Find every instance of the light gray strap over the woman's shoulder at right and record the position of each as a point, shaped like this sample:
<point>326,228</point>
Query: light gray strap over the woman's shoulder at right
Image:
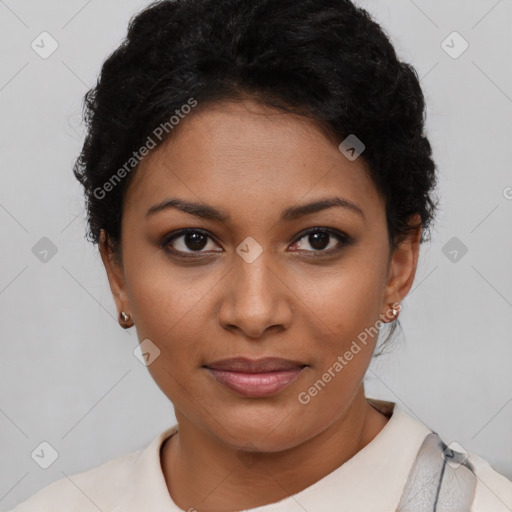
<point>440,480</point>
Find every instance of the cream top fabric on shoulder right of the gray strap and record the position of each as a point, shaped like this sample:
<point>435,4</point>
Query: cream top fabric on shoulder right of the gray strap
<point>493,491</point>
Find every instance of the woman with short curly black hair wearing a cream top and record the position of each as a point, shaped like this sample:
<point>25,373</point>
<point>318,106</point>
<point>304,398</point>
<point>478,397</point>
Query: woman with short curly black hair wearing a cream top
<point>258,183</point>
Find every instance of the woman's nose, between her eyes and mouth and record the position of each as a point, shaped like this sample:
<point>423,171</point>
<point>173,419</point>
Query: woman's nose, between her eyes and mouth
<point>255,300</point>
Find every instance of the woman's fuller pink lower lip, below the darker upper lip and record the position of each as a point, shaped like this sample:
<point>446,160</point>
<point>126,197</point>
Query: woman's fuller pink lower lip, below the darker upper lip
<point>256,384</point>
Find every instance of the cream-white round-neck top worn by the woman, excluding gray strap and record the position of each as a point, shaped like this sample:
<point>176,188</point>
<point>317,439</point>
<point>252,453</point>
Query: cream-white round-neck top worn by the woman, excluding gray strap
<point>372,480</point>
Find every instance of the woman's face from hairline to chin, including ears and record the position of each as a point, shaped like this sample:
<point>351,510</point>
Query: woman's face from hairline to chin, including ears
<point>251,281</point>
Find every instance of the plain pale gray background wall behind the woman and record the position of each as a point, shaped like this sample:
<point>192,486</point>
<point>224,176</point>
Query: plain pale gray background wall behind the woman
<point>68,375</point>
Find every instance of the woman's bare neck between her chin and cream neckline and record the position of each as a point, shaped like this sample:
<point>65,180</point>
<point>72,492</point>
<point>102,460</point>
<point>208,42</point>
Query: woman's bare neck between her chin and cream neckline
<point>203,472</point>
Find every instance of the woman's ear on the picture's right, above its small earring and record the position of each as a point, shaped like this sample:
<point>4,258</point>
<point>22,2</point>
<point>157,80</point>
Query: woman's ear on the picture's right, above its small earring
<point>402,267</point>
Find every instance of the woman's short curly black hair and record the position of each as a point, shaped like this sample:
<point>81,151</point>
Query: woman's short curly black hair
<point>324,59</point>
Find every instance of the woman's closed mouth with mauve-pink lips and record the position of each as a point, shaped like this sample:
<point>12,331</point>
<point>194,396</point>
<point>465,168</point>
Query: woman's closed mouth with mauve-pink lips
<point>256,378</point>
